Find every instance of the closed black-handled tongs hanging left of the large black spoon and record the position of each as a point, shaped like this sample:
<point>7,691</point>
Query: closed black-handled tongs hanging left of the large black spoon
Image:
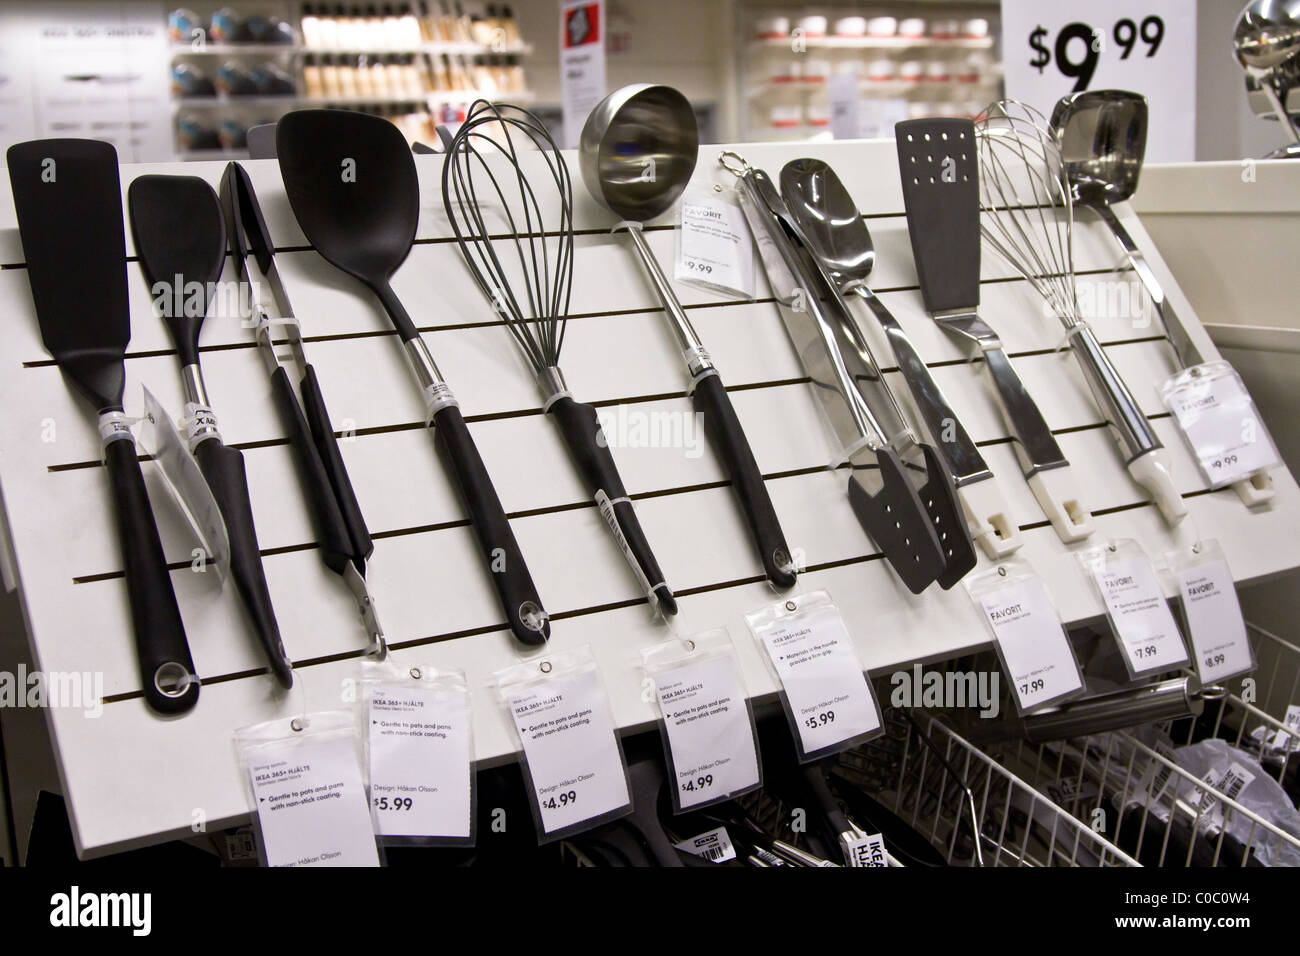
<point>345,542</point>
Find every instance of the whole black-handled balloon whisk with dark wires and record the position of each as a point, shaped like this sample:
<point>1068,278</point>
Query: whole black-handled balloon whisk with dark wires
<point>486,168</point>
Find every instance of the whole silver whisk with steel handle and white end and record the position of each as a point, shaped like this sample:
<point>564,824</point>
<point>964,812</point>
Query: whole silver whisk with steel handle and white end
<point>1029,222</point>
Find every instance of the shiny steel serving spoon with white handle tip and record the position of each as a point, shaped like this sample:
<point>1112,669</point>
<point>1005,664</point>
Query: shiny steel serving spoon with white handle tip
<point>842,241</point>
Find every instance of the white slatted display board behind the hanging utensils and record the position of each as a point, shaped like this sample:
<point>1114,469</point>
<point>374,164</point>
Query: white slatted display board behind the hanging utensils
<point>133,778</point>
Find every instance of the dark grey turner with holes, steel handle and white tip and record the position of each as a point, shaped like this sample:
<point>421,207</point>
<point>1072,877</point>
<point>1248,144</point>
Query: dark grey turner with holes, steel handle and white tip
<point>942,198</point>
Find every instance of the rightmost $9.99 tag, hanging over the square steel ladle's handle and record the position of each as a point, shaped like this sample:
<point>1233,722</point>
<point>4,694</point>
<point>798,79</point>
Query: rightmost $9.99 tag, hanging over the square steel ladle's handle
<point>1217,418</point>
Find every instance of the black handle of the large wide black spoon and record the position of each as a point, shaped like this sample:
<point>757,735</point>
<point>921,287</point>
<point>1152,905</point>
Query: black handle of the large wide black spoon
<point>496,540</point>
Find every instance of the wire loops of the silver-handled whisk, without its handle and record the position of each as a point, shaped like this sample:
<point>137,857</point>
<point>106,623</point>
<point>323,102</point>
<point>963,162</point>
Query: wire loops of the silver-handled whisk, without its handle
<point>1029,210</point>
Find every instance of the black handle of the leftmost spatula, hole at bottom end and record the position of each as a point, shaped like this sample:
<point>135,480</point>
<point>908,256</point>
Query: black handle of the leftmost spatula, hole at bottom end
<point>161,644</point>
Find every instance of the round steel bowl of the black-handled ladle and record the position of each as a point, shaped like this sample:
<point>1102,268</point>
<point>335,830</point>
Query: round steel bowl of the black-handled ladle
<point>639,150</point>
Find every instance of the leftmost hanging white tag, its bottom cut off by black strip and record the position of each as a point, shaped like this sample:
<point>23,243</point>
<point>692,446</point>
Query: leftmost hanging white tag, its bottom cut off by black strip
<point>311,804</point>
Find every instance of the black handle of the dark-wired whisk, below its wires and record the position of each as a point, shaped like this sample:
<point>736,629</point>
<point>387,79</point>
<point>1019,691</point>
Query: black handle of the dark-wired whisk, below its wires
<point>582,431</point>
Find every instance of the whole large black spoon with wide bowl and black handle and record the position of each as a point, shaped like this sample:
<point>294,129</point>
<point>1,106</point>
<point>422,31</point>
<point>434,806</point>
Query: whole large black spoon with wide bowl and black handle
<point>353,185</point>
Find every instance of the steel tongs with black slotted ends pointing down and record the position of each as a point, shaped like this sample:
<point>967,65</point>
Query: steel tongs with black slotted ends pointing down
<point>898,488</point>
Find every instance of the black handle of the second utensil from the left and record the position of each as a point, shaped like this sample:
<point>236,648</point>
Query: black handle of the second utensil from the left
<point>224,470</point>
